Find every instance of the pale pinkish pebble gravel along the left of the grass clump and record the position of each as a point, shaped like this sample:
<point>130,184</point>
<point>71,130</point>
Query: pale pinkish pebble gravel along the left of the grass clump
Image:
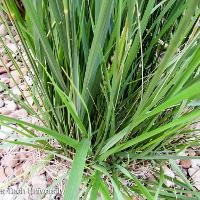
<point>24,173</point>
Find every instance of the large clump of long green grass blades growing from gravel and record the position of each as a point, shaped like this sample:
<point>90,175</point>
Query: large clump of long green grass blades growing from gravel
<point>114,81</point>
